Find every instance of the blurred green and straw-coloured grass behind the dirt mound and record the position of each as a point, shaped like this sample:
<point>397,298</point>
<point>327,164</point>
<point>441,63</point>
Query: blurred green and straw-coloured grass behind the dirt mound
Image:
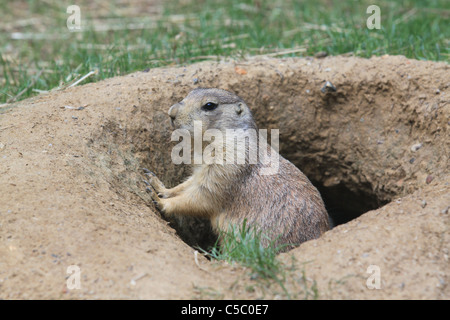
<point>39,53</point>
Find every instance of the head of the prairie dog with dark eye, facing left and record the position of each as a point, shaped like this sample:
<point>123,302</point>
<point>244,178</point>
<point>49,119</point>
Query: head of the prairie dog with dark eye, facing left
<point>215,108</point>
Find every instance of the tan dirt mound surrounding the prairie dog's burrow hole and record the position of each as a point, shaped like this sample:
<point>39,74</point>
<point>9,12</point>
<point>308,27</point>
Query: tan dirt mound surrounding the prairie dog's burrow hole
<point>71,190</point>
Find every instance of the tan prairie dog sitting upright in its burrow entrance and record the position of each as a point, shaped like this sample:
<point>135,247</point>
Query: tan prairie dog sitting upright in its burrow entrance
<point>284,206</point>
